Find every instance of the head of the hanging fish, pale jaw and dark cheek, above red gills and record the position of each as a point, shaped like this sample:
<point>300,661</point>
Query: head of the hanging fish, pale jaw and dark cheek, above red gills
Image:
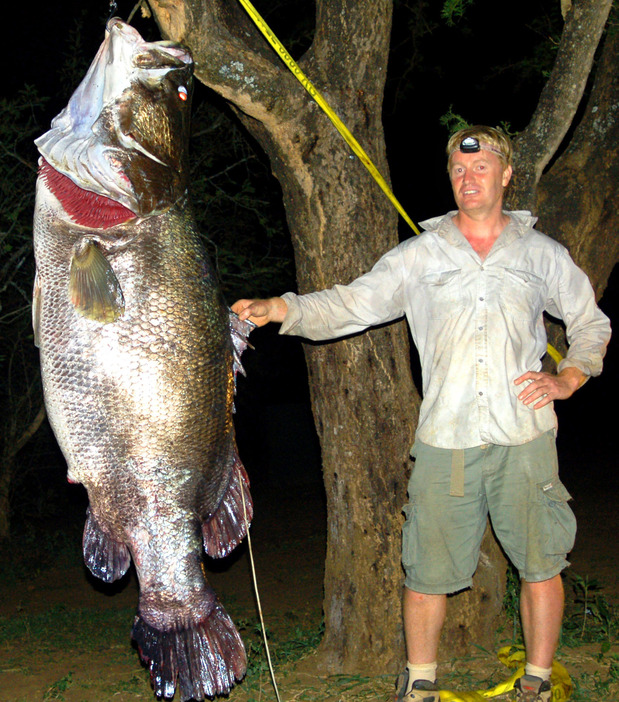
<point>124,133</point>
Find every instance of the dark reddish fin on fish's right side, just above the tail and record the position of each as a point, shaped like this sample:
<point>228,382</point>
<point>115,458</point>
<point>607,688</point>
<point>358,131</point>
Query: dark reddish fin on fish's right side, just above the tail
<point>227,527</point>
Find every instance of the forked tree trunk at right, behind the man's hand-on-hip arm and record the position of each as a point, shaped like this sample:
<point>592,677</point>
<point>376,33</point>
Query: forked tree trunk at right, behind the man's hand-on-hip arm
<point>576,198</point>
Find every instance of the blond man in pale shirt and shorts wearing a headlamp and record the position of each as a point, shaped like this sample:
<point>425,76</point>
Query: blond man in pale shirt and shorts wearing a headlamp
<point>474,286</point>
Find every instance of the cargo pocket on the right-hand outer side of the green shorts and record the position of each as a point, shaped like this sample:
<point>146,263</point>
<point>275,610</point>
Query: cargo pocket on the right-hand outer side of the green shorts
<point>558,520</point>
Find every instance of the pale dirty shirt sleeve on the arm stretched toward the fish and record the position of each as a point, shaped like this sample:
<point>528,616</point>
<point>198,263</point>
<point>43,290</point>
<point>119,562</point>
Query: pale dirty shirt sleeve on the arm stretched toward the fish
<point>375,298</point>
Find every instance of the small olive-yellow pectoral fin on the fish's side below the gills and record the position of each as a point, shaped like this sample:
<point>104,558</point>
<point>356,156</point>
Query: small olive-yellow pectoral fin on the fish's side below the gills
<point>93,287</point>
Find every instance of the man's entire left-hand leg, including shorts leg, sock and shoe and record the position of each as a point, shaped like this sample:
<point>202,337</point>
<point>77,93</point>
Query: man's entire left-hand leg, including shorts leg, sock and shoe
<point>440,550</point>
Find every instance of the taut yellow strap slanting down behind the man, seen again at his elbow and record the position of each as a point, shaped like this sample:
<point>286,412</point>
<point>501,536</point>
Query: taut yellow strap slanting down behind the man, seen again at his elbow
<point>337,122</point>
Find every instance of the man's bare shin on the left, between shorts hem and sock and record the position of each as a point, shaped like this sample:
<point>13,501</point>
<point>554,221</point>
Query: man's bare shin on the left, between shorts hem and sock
<point>423,620</point>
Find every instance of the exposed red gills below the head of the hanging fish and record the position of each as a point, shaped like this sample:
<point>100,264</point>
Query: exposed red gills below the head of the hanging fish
<point>84,207</point>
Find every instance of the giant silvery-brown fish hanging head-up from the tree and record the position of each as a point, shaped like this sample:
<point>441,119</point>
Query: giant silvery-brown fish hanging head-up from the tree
<point>138,355</point>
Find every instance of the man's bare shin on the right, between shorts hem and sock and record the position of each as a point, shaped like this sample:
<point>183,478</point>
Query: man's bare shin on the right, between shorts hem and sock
<point>541,610</point>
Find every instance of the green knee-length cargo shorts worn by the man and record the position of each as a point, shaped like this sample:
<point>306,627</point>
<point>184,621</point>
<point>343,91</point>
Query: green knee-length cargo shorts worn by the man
<point>451,494</point>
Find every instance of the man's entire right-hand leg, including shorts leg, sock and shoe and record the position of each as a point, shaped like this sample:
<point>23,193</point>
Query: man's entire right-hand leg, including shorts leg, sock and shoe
<point>536,527</point>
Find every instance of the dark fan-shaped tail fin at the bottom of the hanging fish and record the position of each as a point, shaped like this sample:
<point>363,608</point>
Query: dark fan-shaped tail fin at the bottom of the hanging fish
<point>205,658</point>
